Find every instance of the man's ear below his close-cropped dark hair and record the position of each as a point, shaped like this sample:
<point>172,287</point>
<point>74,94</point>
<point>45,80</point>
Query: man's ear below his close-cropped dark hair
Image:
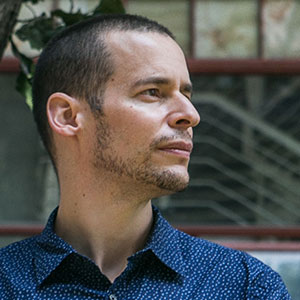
<point>62,112</point>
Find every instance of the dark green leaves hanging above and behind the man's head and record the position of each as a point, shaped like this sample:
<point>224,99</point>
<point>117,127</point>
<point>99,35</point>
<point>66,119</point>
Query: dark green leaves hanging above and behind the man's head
<point>40,29</point>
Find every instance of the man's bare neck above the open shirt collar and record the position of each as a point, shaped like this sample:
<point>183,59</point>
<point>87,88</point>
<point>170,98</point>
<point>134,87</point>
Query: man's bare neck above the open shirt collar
<point>107,228</point>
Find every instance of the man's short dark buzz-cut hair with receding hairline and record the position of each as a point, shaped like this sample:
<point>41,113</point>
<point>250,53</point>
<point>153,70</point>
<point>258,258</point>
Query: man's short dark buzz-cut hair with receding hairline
<point>78,62</point>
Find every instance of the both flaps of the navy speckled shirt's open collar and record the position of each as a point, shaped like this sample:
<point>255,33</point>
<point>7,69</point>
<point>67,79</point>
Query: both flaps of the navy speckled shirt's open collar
<point>163,241</point>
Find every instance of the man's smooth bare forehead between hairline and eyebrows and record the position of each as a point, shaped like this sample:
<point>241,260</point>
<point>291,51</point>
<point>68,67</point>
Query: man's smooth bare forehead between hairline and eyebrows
<point>143,54</point>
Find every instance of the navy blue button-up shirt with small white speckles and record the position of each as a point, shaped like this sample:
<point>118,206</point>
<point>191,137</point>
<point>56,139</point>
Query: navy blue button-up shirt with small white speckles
<point>172,265</point>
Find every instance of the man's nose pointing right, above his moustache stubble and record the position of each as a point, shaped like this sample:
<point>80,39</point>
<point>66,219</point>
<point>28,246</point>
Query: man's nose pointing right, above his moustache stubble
<point>183,113</point>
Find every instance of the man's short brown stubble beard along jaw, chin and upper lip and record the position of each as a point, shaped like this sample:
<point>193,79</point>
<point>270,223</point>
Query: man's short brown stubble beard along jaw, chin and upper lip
<point>142,171</point>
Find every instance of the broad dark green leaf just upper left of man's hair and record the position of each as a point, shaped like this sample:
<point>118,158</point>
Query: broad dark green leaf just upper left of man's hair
<point>37,32</point>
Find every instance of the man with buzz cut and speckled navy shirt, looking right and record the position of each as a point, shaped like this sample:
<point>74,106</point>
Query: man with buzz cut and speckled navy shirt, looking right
<point>112,101</point>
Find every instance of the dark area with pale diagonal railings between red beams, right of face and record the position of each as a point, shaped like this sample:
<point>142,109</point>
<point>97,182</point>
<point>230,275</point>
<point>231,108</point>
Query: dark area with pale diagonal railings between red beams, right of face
<point>246,165</point>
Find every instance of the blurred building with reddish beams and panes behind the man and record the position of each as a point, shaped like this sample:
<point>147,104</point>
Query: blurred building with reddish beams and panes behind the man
<point>244,59</point>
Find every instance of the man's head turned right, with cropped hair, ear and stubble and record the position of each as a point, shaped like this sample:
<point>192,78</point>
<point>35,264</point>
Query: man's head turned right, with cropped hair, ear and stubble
<point>138,125</point>
